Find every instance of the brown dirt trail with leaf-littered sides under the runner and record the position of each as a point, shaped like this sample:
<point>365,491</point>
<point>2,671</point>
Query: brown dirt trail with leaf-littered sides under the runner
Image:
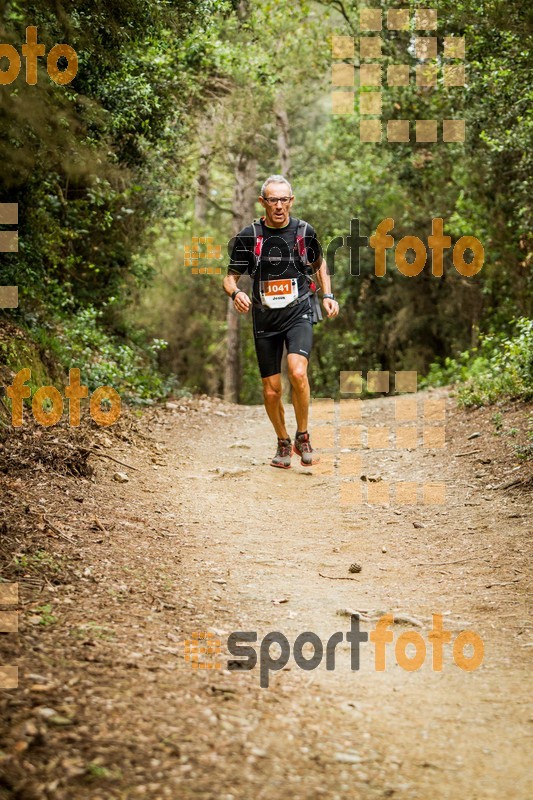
<point>204,535</point>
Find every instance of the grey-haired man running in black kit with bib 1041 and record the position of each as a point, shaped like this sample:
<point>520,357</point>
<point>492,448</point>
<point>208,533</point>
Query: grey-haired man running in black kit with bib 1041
<point>279,253</point>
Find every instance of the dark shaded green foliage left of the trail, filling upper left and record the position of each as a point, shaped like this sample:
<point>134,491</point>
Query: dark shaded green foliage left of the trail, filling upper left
<point>90,164</point>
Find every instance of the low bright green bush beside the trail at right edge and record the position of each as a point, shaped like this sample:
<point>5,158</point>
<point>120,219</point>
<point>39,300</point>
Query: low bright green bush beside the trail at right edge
<point>500,368</point>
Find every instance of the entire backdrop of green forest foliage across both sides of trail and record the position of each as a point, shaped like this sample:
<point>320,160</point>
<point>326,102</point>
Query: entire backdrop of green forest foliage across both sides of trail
<point>105,173</point>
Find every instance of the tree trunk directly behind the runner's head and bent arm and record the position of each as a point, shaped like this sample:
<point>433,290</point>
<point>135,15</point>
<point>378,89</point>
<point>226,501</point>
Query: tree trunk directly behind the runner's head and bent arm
<point>243,203</point>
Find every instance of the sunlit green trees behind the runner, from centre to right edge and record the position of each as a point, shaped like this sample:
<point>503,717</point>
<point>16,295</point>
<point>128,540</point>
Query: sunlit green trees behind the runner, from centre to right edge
<point>262,60</point>
